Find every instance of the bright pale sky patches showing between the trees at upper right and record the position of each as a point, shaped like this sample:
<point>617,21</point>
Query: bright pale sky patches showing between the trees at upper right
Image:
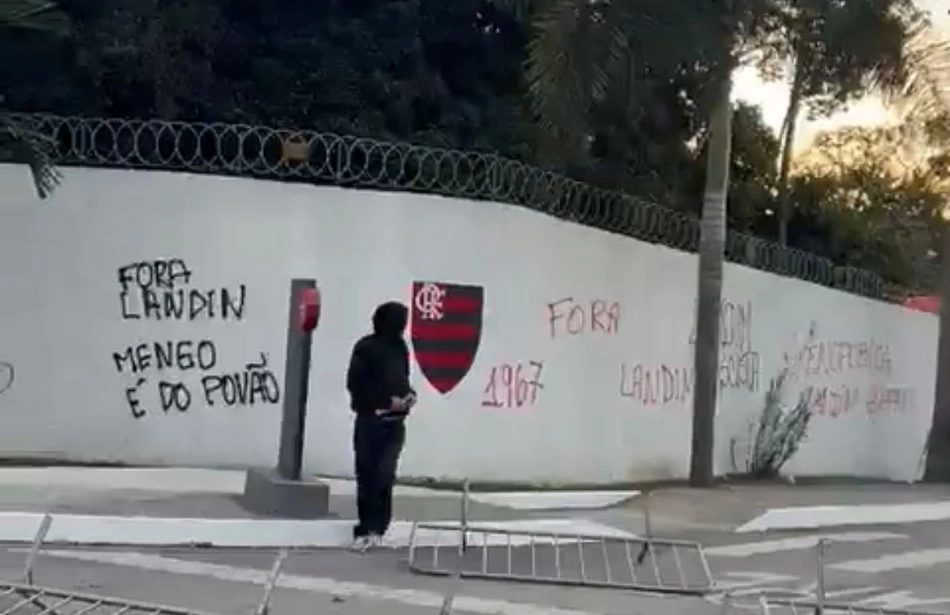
<point>772,98</point>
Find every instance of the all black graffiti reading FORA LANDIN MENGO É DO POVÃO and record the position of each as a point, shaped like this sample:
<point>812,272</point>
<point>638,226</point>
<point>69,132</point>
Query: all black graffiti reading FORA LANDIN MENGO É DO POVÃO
<point>182,372</point>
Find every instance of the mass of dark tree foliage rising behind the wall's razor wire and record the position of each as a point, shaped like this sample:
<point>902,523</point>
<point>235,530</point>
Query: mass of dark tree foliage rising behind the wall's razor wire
<point>614,93</point>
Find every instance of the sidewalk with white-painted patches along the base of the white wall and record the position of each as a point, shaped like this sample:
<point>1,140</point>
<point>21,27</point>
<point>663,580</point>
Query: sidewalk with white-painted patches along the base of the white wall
<point>174,506</point>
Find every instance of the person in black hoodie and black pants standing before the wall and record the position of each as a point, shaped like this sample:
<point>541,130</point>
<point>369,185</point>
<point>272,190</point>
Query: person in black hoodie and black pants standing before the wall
<point>381,397</point>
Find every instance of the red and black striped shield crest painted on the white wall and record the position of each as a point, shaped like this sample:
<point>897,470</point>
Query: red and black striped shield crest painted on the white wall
<point>446,330</point>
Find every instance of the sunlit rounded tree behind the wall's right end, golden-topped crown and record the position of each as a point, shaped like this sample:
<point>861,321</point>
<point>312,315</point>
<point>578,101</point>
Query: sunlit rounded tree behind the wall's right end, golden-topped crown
<point>875,197</point>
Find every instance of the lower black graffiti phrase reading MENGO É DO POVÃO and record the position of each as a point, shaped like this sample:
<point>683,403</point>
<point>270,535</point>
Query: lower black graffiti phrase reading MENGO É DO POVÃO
<point>256,384</point>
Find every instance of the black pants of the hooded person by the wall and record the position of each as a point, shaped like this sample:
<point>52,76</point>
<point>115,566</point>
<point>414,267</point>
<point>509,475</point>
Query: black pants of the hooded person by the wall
<point>377,444</point>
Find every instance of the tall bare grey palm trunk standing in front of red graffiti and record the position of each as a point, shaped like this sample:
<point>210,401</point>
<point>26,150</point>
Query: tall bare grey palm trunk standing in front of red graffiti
<point>709,292</point>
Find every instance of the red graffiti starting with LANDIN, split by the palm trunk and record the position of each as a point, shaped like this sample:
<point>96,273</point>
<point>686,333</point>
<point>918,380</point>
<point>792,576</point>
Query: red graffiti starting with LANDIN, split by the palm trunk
<point>669,384</point>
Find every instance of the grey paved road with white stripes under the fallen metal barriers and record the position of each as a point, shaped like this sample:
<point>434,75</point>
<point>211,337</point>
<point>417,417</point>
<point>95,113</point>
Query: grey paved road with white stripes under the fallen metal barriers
<point>892,566</point>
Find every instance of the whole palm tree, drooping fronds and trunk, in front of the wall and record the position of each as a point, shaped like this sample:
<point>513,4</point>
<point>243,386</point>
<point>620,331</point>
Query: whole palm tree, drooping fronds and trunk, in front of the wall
<point>585,53</point>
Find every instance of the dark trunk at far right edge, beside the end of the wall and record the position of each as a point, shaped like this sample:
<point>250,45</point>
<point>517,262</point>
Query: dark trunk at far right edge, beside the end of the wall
<point>937,468</point>
